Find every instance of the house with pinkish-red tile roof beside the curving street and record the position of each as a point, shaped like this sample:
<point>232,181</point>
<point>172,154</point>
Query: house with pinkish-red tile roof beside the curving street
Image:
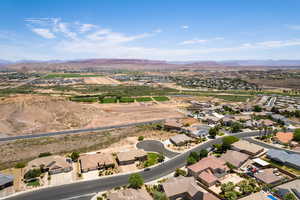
<point>208,170</point>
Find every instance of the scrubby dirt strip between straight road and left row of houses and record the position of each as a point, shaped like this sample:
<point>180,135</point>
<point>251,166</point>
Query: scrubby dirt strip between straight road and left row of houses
<point>113,141</point>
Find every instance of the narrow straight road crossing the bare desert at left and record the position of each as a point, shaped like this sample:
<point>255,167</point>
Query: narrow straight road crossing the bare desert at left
<point>38,135</point>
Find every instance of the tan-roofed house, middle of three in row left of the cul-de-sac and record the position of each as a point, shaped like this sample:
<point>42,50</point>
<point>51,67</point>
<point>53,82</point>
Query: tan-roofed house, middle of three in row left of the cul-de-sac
<point>90,162</point>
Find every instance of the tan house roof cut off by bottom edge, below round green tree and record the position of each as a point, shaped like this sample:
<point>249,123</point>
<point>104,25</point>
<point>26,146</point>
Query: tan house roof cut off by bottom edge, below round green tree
<point>129,194</point>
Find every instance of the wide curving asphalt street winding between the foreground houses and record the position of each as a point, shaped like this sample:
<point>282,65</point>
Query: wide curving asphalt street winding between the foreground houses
<point>78,189</point>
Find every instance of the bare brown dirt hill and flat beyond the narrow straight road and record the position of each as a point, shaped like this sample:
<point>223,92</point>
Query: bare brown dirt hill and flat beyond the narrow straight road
<point>37,114</point>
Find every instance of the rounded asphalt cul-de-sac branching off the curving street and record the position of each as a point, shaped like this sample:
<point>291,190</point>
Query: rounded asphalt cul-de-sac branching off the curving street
<point>156,146</point>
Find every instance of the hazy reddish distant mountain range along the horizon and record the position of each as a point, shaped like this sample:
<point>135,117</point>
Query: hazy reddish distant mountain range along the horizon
<point>136,64</point>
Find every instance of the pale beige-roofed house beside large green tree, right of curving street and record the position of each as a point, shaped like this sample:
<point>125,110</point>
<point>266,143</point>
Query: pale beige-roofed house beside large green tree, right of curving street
<point>247,147</point>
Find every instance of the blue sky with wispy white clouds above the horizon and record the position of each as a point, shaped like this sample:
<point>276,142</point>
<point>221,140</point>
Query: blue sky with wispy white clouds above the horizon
<point>174,30</point>
